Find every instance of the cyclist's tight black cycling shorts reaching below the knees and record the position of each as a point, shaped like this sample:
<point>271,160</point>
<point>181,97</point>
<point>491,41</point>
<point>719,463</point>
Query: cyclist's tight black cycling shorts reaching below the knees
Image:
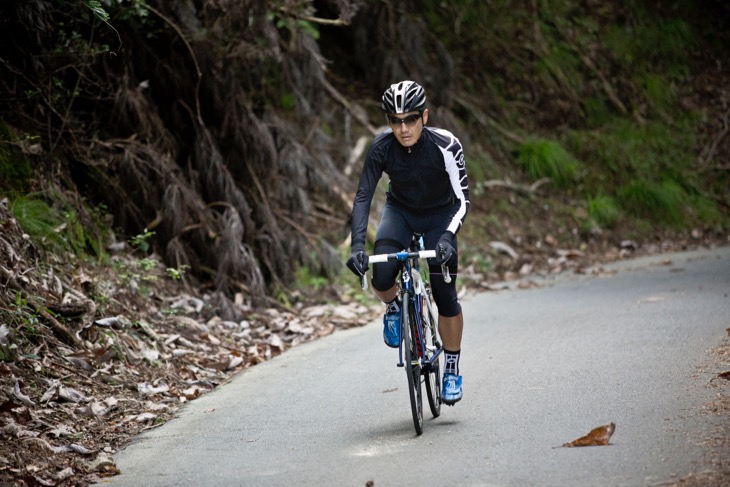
<point>396,228</point>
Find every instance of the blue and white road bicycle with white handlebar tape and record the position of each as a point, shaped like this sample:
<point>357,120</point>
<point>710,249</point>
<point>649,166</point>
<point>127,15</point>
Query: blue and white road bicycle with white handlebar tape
<point>420,349</point>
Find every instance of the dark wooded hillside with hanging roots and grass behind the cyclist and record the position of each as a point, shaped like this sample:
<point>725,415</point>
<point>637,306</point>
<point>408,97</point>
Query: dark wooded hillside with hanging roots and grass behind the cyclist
<point>226,135</point>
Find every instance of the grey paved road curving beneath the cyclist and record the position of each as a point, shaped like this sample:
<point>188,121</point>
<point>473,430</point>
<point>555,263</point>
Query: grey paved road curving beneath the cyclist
<point>541,368</point>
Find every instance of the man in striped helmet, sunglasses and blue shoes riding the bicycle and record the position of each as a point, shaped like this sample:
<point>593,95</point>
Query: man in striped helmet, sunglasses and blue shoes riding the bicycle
<point>428,193</point>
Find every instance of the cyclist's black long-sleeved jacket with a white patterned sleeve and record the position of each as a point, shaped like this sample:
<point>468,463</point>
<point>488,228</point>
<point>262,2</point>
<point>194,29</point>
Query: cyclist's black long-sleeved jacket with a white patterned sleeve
<point>428,176</point>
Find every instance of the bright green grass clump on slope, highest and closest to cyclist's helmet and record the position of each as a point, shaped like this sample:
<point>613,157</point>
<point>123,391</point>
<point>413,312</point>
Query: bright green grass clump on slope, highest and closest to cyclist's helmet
<point>542,158</point>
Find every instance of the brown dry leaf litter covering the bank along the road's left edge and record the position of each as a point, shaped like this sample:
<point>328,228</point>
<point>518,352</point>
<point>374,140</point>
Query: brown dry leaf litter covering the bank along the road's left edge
<point>78,388</point>
